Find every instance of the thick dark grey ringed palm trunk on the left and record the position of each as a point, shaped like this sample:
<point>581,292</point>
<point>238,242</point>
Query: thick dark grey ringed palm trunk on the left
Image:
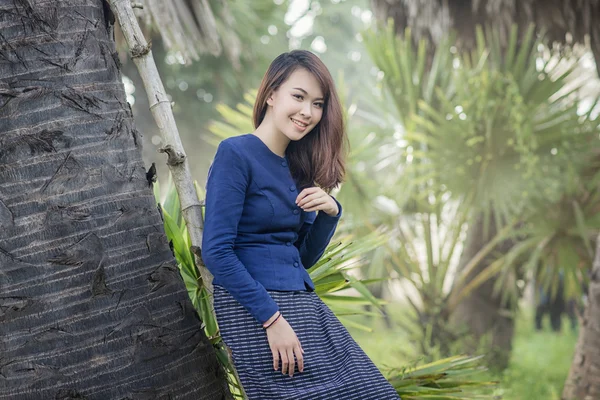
<point>91,301</point>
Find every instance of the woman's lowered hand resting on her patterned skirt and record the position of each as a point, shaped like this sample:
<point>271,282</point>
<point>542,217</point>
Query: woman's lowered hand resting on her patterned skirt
<point>284,345</point>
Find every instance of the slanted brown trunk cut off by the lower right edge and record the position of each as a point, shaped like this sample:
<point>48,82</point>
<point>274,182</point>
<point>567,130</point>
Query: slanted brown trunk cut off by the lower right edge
<point>583,382</point>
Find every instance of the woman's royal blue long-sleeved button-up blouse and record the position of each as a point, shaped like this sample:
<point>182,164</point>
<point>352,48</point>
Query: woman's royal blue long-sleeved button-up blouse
<point>255,236</point>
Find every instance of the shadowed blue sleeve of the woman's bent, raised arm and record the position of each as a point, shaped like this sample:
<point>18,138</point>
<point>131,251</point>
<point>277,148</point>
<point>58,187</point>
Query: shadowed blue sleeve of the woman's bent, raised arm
<point>315,234</point>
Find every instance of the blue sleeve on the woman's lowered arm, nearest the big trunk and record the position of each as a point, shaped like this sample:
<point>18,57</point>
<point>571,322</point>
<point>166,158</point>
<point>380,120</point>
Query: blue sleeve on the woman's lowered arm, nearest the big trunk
<point>228,179</point>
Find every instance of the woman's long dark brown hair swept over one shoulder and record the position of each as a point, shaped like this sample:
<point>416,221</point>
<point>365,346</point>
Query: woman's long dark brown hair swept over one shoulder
<point>319,157</point>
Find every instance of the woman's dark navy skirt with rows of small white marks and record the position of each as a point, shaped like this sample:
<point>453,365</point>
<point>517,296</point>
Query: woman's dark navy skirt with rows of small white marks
<point>335,367</point>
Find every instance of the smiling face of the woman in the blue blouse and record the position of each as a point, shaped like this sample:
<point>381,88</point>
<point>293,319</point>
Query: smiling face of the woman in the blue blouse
<point>297,105</point>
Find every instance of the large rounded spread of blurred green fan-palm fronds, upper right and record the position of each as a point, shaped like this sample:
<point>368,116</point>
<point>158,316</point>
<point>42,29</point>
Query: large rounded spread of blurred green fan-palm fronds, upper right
<point>493,122</point>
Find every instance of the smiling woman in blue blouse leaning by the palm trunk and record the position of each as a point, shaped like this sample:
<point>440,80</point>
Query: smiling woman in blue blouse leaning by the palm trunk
<point>268,219</point>
